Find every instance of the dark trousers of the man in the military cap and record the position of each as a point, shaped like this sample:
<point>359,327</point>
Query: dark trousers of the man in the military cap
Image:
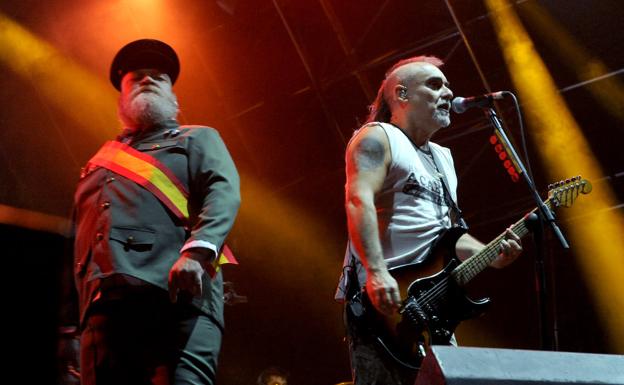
<point>143,339</point>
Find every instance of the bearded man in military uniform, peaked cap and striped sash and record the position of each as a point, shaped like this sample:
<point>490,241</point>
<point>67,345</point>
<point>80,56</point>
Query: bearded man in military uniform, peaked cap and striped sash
<point>152,211</point>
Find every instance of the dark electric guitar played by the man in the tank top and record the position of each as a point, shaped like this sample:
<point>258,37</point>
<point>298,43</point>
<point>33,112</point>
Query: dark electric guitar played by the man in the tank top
<point>434,302</point>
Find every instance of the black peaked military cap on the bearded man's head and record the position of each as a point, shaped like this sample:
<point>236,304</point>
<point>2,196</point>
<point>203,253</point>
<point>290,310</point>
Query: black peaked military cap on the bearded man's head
<point>144,53</point>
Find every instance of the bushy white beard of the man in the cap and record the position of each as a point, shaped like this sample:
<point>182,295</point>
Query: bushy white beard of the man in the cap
<point>147,109</point>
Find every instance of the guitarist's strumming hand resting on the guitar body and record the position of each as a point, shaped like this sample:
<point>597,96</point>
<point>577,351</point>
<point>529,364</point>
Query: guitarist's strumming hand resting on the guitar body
<point>383,291</point>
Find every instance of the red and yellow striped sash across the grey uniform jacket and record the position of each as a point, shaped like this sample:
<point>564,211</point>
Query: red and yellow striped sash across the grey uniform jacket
<point>155,177</point>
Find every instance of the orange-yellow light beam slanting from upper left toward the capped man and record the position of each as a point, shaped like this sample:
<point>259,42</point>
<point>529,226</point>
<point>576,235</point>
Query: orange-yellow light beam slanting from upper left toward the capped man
<point>85,98</point>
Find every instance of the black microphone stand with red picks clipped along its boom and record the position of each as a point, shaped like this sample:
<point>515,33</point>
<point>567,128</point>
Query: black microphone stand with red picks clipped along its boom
<point>545,216</point>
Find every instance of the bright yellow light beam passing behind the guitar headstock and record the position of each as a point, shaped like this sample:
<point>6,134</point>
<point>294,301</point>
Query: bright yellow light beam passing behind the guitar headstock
<point>598,241</point>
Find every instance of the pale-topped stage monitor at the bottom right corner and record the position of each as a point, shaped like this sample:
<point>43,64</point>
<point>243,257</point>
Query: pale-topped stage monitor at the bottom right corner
<point>448,365</point>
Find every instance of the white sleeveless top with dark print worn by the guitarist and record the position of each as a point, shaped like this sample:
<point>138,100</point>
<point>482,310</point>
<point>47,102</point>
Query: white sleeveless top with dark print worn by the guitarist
<point>411,207</point>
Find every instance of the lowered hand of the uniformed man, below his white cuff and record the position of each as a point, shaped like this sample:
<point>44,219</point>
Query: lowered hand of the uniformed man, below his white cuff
<point>186,274</point>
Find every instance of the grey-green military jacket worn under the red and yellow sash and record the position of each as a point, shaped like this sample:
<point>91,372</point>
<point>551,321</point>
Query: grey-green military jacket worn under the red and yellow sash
<point>122,229</point>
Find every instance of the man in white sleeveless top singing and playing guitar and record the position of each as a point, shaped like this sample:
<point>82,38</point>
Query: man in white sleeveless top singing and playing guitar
<point>400,196</point>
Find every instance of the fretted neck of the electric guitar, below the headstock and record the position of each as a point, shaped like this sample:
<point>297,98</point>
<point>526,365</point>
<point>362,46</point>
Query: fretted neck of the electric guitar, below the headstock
<point>472,266</point>
